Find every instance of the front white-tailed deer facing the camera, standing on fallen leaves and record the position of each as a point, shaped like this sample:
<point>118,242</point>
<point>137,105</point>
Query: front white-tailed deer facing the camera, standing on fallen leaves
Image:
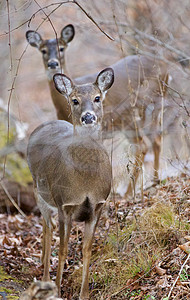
<point>71,169</point>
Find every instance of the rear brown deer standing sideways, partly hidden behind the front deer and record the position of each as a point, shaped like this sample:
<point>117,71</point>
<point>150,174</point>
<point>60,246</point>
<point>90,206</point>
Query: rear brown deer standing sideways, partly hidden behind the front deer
<point>132,105</point>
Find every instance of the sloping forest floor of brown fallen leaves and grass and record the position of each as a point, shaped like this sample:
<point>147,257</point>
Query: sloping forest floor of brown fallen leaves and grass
<point>140,250</point>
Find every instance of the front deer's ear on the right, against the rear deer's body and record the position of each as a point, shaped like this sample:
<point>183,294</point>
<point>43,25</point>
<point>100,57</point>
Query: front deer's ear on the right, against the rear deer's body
<point>105,79</point>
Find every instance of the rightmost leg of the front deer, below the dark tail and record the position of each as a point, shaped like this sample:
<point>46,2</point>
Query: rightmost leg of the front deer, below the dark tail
<point>90,228</point>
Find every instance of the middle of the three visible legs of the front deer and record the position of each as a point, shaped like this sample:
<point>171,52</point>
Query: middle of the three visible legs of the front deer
<point>64,232</point>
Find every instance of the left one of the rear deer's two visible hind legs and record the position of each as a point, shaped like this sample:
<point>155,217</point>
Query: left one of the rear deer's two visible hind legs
<point>141,151</point>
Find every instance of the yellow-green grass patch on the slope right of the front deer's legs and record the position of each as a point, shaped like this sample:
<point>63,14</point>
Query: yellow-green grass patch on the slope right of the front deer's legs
<point>132,252</point>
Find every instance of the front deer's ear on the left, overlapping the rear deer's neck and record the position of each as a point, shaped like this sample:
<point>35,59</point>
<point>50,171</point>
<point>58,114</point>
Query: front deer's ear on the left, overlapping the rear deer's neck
<point>63,84</point>
